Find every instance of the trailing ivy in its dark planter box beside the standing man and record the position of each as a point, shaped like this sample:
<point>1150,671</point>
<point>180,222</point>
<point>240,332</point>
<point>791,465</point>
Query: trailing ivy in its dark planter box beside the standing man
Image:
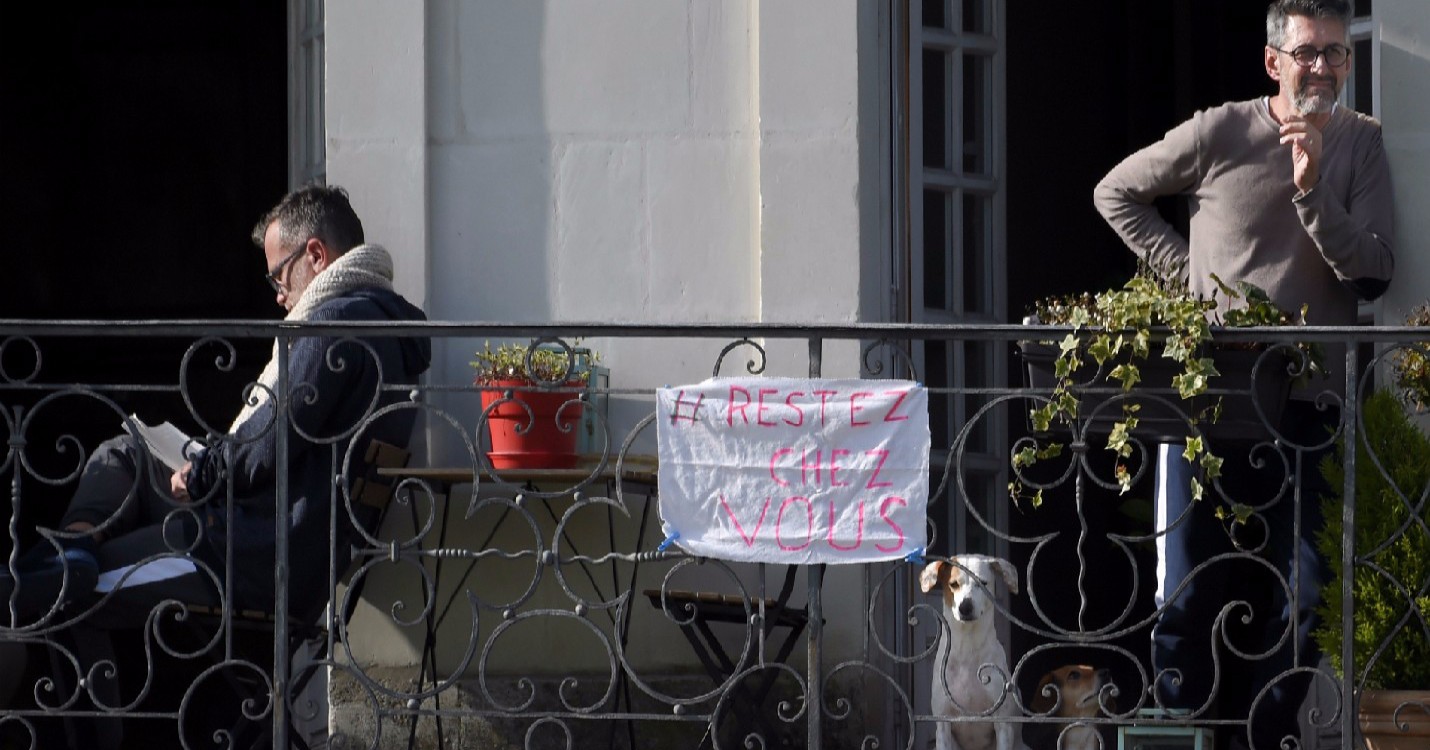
<point>1088,369</point>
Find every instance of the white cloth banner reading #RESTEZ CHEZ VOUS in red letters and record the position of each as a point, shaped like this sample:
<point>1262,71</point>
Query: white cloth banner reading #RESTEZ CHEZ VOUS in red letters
<point>797,472</point>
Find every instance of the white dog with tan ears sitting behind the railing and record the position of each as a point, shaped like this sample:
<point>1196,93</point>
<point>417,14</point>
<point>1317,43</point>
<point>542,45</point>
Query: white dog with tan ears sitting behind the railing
<point>975,665</point>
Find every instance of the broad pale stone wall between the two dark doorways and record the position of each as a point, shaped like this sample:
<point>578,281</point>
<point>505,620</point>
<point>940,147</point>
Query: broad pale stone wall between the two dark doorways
<point>630,161</point>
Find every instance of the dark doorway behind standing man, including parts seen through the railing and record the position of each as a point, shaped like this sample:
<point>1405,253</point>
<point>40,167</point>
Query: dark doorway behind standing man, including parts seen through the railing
<point>1088,85</point>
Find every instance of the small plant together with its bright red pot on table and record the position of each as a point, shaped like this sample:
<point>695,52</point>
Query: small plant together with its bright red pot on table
<point>534,399</point>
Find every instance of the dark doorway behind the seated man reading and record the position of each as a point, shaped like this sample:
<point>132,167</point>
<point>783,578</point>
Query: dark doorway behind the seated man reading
<point>139,144</point>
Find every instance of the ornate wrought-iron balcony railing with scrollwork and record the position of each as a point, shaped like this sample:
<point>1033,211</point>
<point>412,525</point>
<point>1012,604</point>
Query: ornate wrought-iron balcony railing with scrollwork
<point>500,608</point>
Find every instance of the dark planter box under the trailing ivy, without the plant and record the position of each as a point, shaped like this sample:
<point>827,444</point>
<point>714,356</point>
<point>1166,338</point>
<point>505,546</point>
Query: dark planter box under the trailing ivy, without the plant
<point>1168,423</point>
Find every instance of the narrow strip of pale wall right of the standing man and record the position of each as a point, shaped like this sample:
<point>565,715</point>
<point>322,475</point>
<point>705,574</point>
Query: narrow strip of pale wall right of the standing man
<point>1405,112</point>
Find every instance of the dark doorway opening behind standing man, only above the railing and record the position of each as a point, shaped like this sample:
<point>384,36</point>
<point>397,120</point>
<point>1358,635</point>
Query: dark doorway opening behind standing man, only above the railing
<point>1090,84</point>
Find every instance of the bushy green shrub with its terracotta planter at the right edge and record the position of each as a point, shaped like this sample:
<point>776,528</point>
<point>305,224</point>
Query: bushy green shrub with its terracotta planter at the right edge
<point>1391,588</point>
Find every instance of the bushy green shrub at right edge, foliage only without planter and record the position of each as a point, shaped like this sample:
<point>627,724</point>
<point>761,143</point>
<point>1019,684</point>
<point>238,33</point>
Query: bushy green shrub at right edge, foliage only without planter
<point>1382,599</point>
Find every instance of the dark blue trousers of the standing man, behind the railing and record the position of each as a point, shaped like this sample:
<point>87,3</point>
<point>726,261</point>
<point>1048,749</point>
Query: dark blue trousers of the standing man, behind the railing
<point>1243,588</point>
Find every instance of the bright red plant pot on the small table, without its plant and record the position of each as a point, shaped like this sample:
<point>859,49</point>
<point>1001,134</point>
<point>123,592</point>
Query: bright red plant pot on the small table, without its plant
<point>541,439</point>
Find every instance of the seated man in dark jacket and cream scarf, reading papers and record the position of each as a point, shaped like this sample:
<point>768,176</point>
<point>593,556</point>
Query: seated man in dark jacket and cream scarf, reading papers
<point>134,542</point>
